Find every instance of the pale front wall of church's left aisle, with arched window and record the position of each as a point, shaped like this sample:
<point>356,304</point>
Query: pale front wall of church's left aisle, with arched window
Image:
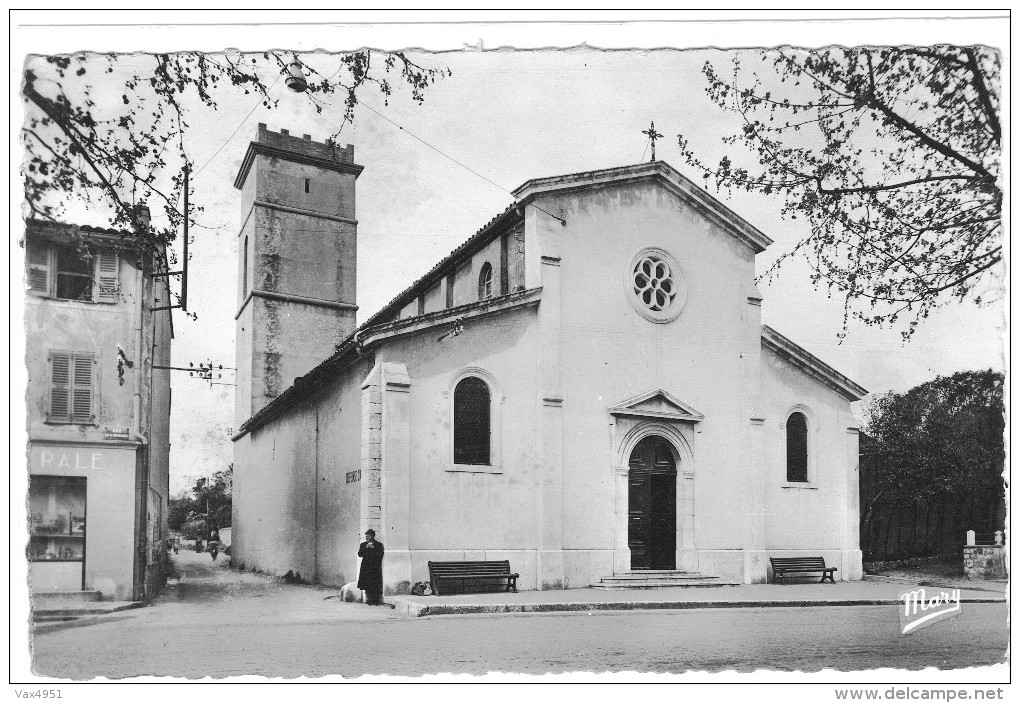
<point>490,512</point>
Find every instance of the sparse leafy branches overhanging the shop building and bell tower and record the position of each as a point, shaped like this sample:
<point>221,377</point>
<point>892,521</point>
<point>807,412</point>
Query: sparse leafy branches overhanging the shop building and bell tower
<point>110,130</point>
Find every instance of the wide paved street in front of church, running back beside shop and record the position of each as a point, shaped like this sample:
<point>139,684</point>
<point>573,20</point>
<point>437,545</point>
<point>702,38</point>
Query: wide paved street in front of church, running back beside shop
<point>221,624</point>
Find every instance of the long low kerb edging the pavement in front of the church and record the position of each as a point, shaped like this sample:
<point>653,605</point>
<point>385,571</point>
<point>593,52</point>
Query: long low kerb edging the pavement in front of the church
<point>417,610</point>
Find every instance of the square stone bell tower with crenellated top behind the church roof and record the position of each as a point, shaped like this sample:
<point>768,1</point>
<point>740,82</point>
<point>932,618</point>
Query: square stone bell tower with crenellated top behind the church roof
<point>296,265</point>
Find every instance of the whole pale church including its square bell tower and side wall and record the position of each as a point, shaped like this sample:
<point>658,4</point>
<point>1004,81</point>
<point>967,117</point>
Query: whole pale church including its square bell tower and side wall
<point>584,387</point>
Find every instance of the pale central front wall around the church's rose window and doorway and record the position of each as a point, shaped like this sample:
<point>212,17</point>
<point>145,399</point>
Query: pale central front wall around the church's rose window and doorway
<point>611,354</point>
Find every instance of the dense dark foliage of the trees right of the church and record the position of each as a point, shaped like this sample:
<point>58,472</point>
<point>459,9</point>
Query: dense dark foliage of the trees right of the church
<point>941,441</point>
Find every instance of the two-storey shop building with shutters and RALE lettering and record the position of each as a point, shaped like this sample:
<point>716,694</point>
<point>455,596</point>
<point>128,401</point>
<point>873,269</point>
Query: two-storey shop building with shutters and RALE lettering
<point>98,413</point>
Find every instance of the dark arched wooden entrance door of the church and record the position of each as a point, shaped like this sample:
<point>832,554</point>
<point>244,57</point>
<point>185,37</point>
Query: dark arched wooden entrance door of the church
<point>652,506</point>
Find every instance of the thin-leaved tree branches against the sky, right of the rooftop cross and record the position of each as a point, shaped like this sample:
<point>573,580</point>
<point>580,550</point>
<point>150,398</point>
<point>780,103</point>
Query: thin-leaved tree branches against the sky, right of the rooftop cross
<point>891,155</point>
